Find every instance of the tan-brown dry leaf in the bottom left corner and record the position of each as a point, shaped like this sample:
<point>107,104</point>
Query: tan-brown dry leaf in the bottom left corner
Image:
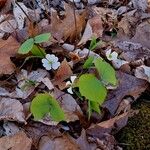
<point>19,141</point>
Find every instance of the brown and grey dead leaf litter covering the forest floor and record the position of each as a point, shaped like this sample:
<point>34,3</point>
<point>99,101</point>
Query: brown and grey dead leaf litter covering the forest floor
<point>123,28</point>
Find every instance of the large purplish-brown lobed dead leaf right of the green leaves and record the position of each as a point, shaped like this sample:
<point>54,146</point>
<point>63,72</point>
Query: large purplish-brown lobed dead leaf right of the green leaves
<point>128,86</point>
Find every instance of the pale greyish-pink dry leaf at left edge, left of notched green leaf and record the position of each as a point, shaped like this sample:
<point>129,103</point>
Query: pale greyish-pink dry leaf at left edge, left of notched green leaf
<point>11,109</point>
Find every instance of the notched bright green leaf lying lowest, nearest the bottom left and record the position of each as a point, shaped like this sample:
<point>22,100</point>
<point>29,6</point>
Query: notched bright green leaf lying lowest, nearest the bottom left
<point>44,104</point>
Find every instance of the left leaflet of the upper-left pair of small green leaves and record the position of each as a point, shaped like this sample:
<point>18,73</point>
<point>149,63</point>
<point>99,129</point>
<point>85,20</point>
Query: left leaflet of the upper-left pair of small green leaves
<point>26,46</point>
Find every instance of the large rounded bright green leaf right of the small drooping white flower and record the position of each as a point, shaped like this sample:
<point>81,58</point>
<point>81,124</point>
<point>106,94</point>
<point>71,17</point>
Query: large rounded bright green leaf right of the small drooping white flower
<point>92,88</point>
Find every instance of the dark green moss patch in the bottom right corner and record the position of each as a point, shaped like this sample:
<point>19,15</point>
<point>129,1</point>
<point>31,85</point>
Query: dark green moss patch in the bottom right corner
<point>136,135</point>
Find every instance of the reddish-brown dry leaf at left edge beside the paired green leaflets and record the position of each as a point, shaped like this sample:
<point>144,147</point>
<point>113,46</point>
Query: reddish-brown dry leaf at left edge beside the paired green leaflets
<point>8,48</point>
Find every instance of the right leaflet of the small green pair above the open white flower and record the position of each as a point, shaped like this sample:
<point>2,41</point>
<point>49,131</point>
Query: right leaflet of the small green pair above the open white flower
<point>42,38</point>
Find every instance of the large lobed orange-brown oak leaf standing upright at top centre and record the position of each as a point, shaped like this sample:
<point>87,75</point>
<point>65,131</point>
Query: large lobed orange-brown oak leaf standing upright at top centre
<point>66,28</point>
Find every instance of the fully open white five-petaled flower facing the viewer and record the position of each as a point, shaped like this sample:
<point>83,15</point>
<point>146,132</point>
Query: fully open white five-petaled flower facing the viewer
<point>50,62</point>
